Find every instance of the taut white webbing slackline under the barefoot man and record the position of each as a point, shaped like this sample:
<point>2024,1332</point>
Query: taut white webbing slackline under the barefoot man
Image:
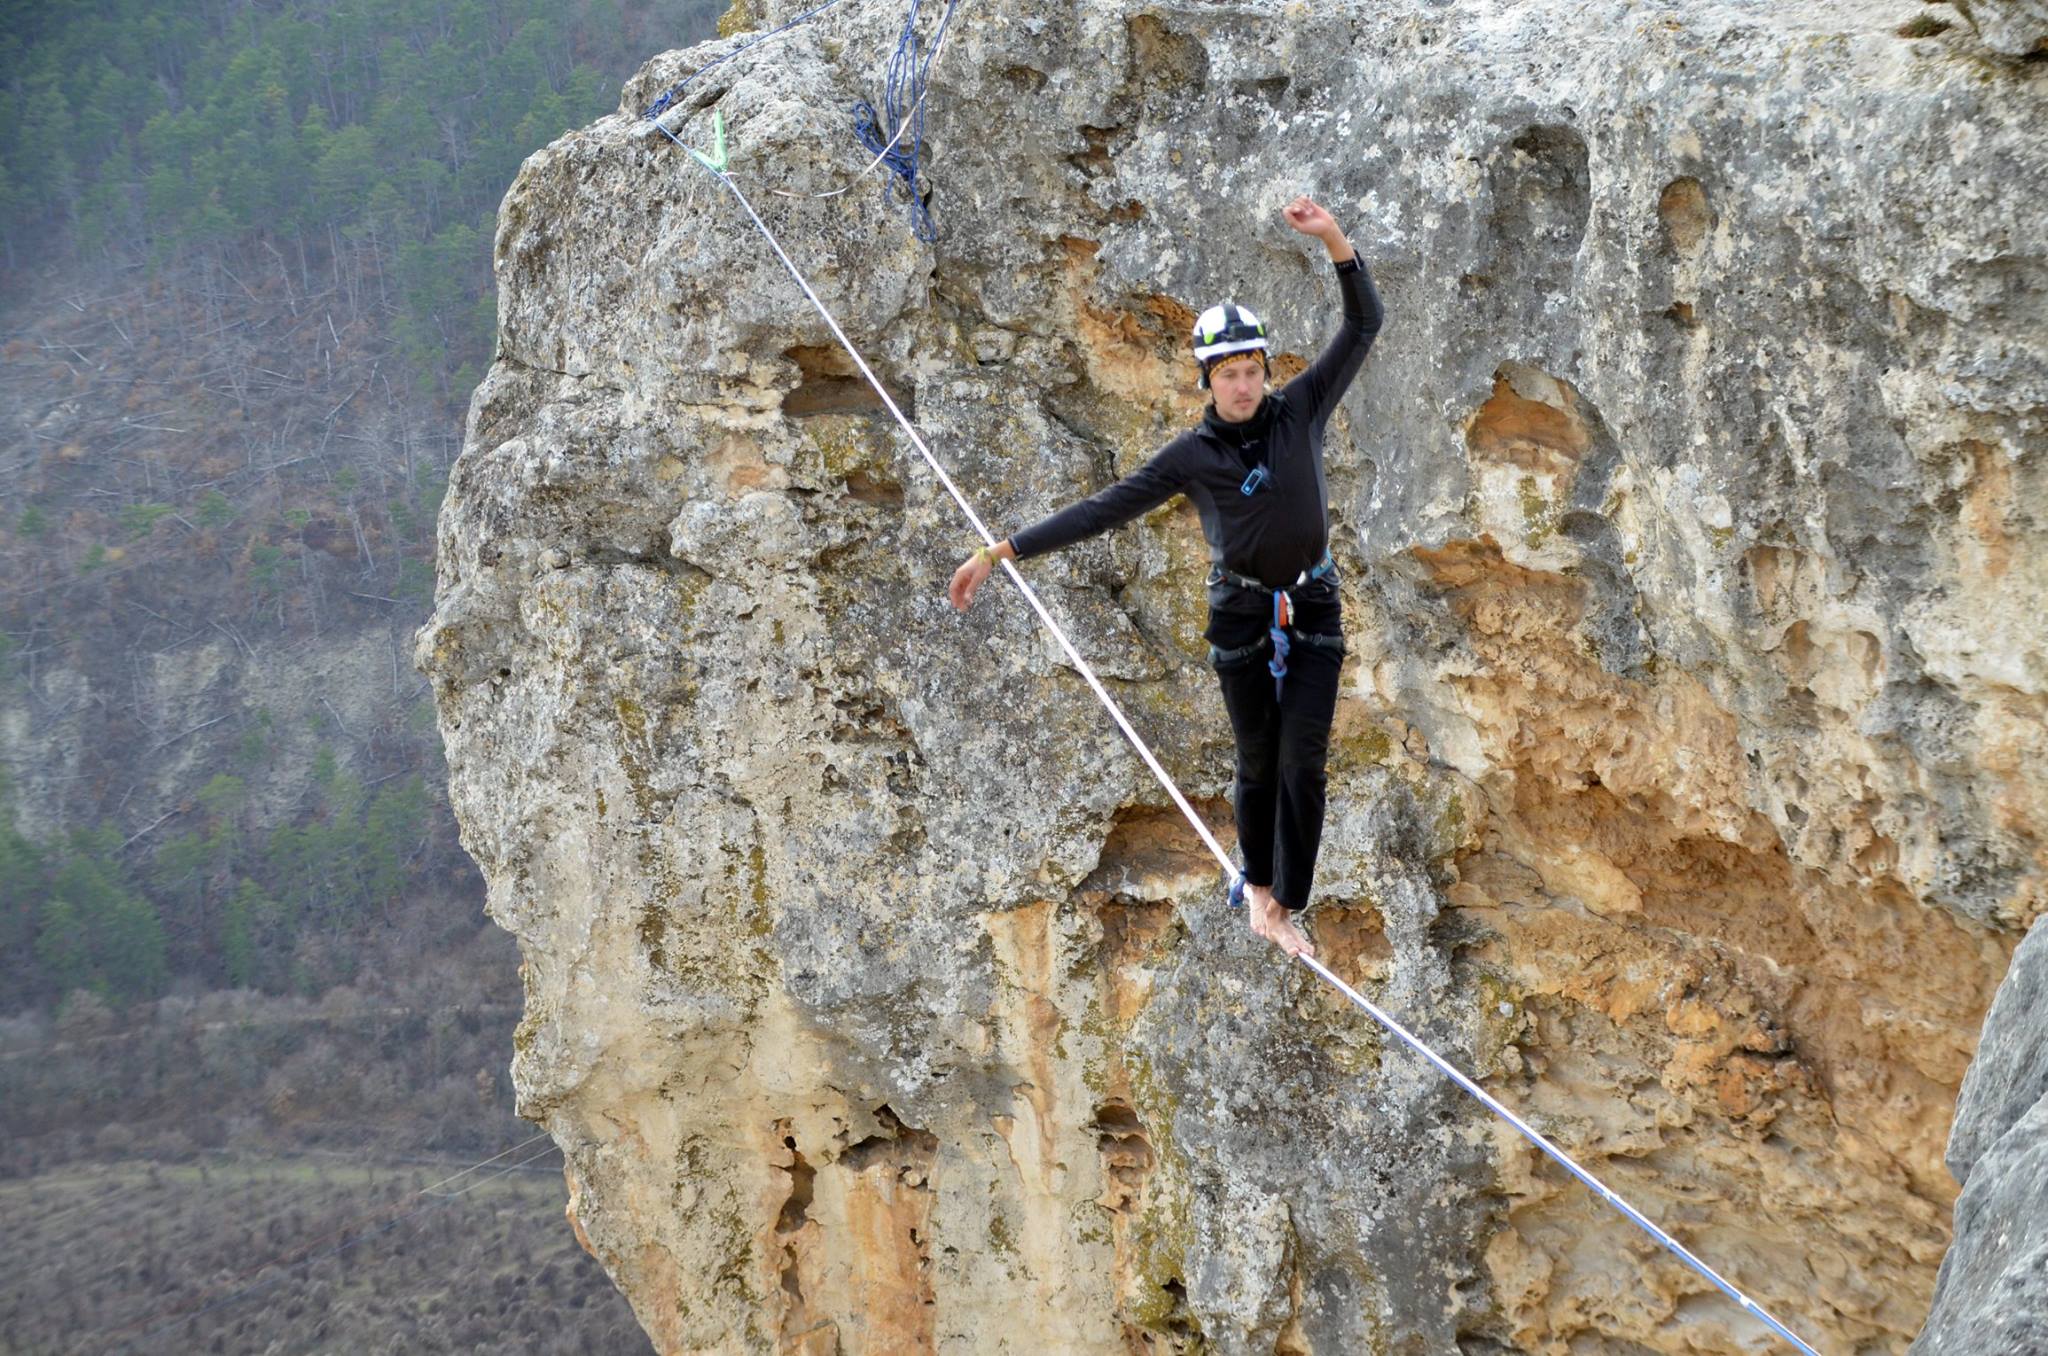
<point>1215,847</point>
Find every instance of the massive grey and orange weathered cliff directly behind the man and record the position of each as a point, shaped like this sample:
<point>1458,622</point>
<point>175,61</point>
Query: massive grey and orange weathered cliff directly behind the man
<point>1687,781</point>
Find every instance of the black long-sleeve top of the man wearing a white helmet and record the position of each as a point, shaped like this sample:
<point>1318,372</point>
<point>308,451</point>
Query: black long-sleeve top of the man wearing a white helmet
<point>1277,532</point>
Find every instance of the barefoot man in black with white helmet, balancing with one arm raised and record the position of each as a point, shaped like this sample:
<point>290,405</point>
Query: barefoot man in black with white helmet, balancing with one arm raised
<point>1254,470</point>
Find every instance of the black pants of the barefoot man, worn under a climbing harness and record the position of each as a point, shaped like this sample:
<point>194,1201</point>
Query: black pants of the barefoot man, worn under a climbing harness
<point>1281,745</point>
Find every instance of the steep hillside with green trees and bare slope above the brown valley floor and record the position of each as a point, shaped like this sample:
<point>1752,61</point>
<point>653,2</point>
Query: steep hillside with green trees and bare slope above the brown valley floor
<point>247,296</point>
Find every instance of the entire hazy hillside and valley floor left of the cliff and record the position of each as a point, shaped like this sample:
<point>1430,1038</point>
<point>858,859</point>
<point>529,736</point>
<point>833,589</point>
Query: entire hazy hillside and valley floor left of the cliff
<point>251,1013</point>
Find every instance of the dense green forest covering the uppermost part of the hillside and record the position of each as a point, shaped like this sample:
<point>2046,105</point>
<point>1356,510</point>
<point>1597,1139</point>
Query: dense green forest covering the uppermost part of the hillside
<point>359,146</point>
